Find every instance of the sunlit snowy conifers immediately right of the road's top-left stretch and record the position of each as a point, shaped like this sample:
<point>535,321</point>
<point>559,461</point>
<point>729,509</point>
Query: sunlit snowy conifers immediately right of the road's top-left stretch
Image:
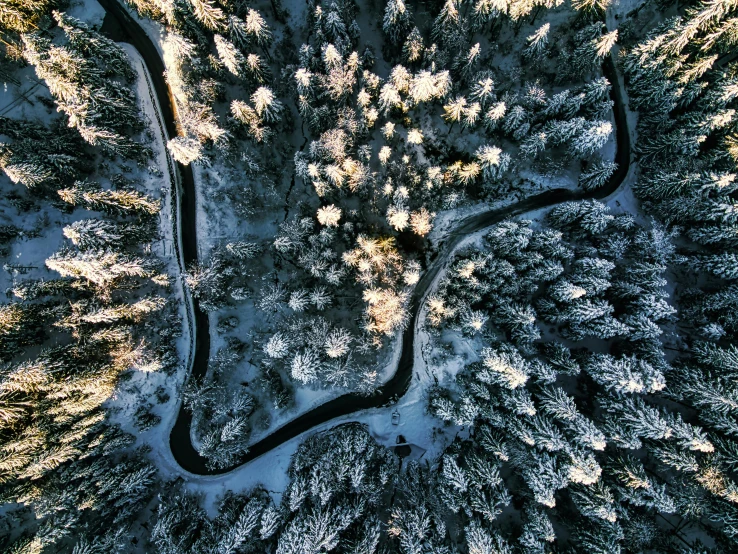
<point>209,46</point>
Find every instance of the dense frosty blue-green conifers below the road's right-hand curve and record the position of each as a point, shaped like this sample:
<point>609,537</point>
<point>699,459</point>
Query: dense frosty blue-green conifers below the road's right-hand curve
<point>590,413</point>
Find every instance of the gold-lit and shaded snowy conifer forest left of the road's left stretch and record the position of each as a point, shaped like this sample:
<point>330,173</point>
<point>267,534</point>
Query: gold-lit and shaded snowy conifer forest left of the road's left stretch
<point>71,477</point>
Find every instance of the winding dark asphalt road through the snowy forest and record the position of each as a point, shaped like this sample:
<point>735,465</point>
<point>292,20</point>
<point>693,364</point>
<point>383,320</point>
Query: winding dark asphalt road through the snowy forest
<point>122,27</point>
